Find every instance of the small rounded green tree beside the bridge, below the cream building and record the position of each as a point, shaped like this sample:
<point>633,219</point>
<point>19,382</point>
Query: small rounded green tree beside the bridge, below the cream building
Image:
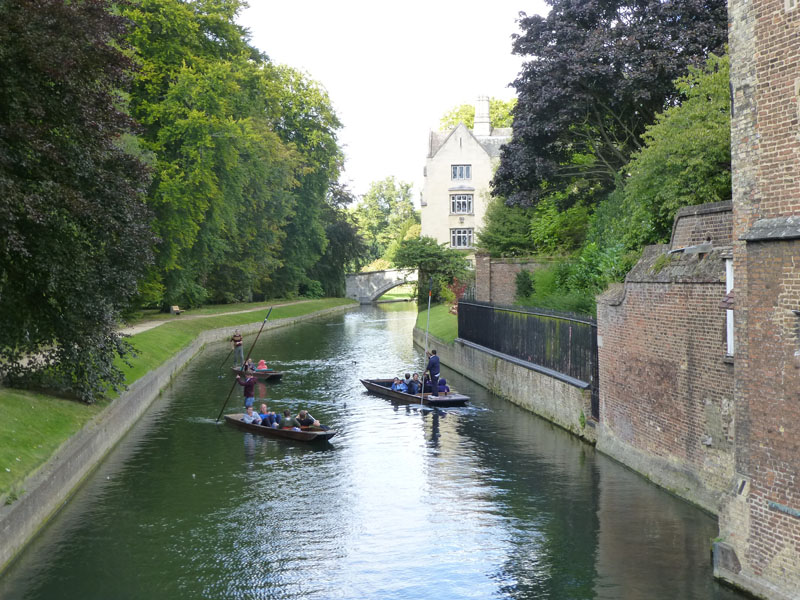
<point>432,260</point>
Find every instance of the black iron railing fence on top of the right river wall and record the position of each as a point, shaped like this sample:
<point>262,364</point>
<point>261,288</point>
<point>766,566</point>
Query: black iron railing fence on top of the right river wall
<point>563,343</point>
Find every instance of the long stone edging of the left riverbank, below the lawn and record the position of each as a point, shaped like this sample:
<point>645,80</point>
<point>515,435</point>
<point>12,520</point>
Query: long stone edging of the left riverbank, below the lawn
<point>49,488</point>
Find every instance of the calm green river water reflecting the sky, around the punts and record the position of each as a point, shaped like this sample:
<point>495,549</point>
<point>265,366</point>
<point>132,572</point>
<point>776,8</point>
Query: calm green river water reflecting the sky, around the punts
<point>482,502</point>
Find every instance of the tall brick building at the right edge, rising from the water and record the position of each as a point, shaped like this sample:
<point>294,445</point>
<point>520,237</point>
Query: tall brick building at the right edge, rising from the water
<point>760,518</point>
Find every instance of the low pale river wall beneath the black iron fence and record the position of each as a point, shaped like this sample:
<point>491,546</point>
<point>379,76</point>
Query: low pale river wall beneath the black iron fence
<point>555,400</point>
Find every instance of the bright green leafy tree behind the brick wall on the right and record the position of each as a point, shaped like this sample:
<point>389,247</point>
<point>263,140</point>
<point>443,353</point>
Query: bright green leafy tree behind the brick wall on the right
<point>686,159</point>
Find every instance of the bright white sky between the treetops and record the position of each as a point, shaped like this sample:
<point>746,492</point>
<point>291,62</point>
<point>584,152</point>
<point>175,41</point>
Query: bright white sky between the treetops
<point>393,69</point>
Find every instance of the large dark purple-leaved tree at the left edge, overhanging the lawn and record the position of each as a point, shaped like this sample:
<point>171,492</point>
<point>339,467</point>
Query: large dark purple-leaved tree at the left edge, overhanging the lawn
<point>74,233</point>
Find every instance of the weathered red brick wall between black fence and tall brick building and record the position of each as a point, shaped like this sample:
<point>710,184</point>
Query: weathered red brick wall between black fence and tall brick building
<point>666,388</point>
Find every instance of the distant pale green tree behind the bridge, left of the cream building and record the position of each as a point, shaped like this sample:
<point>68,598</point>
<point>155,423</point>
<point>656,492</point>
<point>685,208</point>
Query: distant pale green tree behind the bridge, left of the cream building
<point>384,215</point>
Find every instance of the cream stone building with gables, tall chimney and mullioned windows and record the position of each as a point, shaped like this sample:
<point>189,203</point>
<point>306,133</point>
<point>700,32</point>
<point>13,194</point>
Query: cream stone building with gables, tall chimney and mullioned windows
<point>459,166</point>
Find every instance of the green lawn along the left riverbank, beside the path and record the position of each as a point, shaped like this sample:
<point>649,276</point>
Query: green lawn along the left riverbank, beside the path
<point>34,425</point>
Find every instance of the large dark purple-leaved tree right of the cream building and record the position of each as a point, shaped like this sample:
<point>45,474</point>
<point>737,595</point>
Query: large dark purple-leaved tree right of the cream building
<point>598,73</point>
